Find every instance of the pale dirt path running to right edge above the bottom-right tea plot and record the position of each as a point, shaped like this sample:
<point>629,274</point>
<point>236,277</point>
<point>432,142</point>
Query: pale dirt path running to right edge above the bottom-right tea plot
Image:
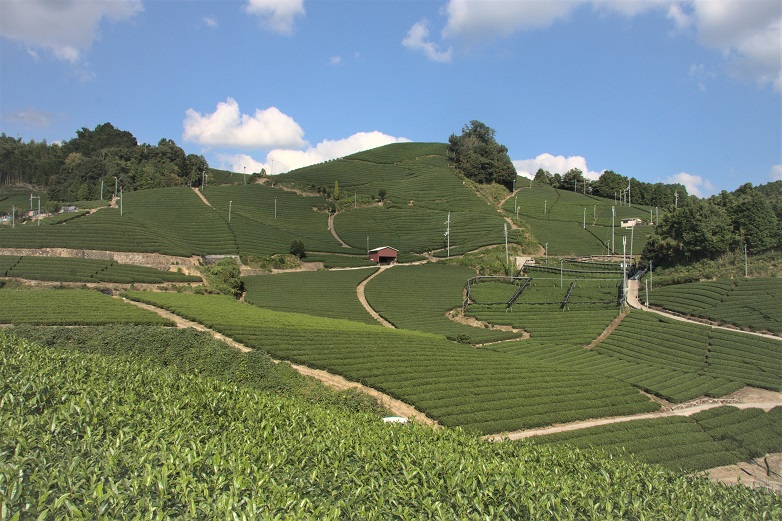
<point>746,398</point>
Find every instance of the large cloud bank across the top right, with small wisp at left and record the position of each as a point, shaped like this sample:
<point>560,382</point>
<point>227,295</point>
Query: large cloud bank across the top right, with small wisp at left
<point>746,32</point>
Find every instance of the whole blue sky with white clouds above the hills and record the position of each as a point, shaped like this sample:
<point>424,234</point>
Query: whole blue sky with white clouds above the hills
<point>659,90</point>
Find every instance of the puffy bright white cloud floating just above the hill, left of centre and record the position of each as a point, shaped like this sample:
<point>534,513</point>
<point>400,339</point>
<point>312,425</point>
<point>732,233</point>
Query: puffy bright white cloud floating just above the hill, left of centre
<point>227,127</point>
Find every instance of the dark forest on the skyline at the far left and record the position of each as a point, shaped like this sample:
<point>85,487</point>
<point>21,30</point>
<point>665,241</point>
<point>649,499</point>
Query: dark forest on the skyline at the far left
<point>73,170</point>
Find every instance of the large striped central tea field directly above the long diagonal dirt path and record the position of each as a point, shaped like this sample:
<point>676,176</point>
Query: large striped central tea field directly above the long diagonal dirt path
<point>480,390</point>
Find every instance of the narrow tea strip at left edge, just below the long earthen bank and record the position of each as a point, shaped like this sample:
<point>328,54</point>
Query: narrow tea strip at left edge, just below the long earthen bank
<point>65,269</point>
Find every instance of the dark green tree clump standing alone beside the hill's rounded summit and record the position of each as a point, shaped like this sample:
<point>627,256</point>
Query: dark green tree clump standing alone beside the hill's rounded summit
<point>478,156</point>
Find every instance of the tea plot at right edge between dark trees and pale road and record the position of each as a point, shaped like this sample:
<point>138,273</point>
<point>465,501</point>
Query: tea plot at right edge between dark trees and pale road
<point>747,303</point>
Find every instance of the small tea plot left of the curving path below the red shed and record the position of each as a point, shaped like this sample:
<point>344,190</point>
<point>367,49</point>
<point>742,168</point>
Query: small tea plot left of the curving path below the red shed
<point>321,293</point>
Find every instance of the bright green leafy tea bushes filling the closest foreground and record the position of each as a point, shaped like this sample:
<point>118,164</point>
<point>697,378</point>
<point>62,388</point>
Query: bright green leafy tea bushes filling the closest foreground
<point>87,437</point>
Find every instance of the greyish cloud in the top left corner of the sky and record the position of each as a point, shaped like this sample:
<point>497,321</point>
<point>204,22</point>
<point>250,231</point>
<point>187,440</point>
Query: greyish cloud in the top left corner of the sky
<point>66,29</point>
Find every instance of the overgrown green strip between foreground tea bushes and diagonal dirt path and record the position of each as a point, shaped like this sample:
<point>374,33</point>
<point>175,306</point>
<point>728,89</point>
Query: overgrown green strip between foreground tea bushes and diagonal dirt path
<point>194,352</point>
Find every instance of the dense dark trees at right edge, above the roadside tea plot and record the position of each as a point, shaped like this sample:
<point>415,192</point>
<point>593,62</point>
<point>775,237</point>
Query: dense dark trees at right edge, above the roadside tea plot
<point>707,228</point>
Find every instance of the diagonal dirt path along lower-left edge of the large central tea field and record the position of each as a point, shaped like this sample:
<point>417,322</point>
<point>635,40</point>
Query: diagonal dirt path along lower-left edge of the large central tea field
<point>397,407</point>
